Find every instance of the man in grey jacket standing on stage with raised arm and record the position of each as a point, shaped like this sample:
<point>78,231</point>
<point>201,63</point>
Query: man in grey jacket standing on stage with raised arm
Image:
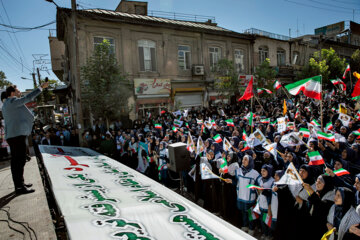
<point>18,125</point>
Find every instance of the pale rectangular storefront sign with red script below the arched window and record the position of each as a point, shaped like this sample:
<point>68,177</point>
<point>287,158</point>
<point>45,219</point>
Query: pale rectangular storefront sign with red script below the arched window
<point>146,86</point>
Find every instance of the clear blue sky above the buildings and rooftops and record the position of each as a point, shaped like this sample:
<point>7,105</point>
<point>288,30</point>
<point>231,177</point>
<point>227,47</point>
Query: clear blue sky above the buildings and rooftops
<point>275,16</point>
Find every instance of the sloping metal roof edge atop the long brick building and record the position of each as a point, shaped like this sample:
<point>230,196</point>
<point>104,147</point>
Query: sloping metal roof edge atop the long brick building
<point>156,19</point>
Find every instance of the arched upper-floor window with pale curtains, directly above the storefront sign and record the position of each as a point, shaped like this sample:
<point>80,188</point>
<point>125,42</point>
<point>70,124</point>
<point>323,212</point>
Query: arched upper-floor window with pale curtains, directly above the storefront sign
<point>147,55</point>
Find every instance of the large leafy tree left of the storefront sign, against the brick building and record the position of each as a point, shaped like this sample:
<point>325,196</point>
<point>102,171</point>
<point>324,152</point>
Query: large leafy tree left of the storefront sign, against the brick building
<point>105,89</point>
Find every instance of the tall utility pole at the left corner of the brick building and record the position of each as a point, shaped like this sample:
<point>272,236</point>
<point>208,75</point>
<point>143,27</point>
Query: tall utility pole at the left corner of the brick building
<point>75,78</point>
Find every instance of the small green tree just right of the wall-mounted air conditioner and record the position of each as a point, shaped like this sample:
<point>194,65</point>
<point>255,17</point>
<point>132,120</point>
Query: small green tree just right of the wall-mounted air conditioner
<point>227,83</point>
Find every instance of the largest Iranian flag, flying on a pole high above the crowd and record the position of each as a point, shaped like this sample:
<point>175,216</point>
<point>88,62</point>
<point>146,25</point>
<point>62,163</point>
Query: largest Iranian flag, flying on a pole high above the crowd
<point>311,87</point>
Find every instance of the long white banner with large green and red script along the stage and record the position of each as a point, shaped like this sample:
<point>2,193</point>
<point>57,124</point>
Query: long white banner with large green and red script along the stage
<point>101,198</point>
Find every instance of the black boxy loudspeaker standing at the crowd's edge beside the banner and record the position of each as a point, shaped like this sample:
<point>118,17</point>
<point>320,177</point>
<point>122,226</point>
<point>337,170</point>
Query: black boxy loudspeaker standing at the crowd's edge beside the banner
<point>179,157</point>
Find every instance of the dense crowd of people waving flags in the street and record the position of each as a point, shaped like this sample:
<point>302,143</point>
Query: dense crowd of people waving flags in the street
<point>247,194</point>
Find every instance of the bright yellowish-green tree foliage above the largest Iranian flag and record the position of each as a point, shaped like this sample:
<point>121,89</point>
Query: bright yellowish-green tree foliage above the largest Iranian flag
<point>328,64</point>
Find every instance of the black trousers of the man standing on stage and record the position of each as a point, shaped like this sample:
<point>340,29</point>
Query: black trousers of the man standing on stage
<point>18,159</point>
